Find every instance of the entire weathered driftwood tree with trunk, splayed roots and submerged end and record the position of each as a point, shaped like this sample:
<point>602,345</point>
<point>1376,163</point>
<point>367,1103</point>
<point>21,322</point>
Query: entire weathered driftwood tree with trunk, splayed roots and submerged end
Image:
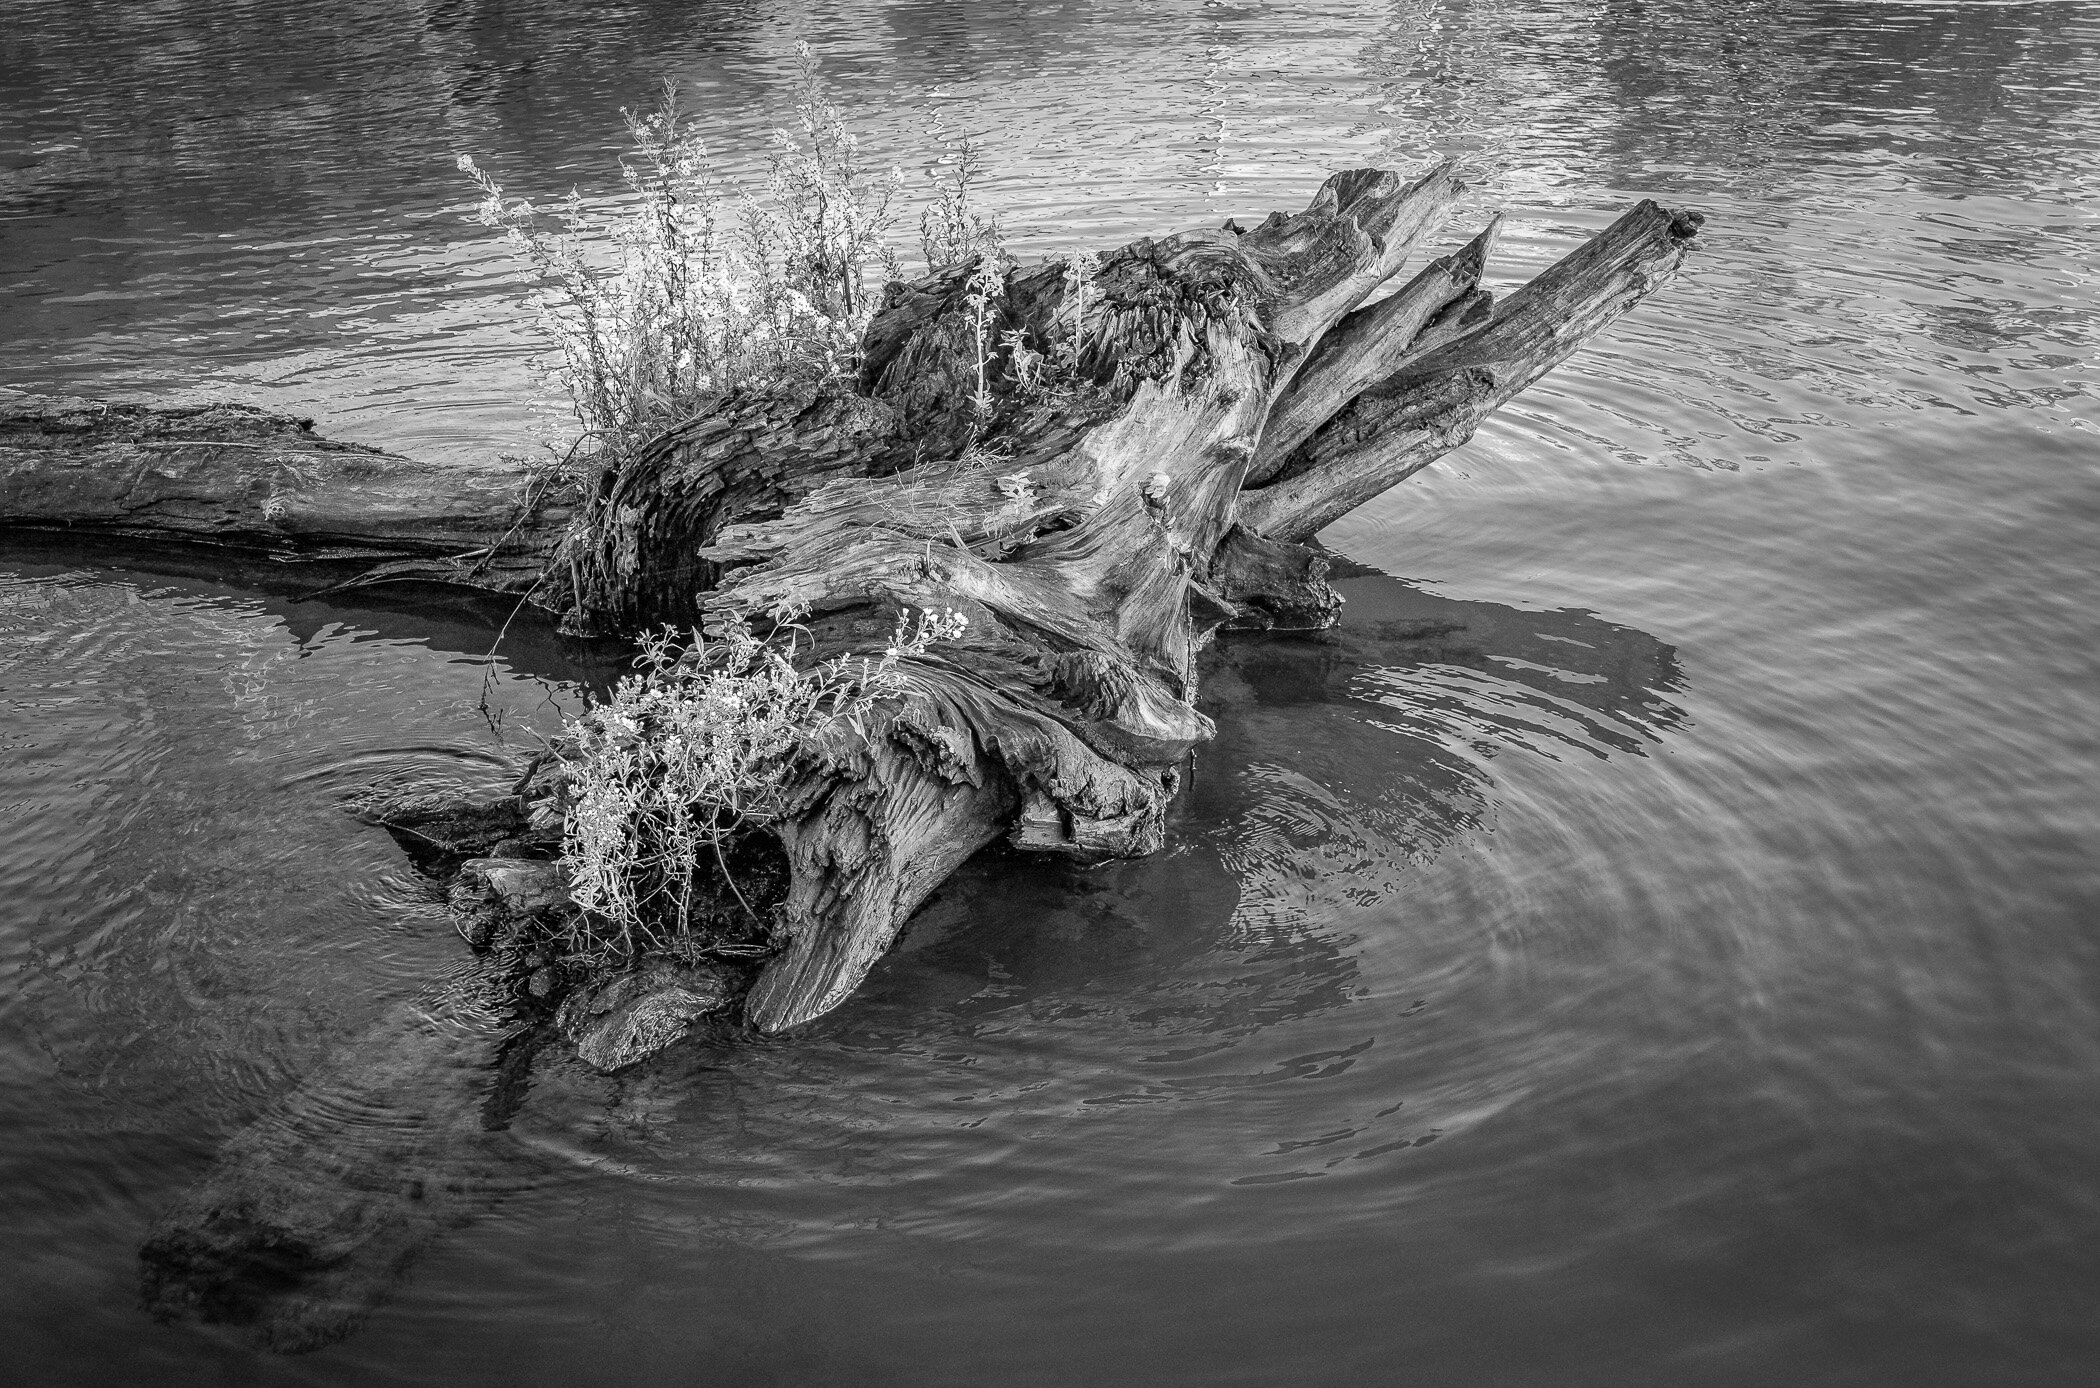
<point>1160,446</point>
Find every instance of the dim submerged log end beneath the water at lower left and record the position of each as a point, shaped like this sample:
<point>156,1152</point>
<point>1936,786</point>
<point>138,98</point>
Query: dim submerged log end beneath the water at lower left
<point>314,1211</point>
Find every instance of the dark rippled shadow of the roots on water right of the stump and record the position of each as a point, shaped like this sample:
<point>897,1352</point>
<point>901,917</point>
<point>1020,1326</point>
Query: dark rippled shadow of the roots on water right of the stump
<point>1343,759</point>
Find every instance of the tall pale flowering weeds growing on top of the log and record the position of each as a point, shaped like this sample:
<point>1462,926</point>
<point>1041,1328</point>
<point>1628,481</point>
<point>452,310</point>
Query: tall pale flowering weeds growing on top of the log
<point>709,287</point>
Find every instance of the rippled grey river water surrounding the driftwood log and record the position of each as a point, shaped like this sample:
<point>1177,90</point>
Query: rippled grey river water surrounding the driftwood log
<point>1654,942</point>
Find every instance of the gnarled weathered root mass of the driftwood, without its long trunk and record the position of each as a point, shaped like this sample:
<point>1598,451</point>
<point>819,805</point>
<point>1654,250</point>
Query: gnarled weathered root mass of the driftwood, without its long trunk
<point>1095,539</point>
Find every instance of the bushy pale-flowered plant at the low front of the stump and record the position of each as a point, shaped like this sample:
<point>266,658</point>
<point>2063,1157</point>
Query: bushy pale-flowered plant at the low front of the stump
<point>690,755</point>
